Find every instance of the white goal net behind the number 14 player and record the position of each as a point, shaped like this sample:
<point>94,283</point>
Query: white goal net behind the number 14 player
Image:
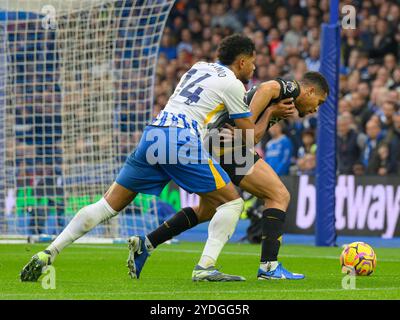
<point>76,90</point>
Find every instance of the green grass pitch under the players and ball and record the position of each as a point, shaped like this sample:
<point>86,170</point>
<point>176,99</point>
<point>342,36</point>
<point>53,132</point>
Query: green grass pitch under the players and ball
<point>99,272</point>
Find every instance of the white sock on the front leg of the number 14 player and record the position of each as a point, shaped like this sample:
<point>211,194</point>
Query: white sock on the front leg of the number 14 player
<point>220,229</point>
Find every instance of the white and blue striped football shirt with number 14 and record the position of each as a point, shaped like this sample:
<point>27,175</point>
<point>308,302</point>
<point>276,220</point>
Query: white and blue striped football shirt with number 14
<point>205,92</point>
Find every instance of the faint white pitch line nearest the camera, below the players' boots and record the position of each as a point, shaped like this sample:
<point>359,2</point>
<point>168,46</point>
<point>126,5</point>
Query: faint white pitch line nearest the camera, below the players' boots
<point>141,293</point>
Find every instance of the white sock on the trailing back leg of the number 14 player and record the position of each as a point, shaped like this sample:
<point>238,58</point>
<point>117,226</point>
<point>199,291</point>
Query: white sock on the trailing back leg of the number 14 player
<point>85,220</point>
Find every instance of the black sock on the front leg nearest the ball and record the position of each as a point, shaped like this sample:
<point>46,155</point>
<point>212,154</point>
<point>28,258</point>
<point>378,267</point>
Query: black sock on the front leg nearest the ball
<point>272,230</point>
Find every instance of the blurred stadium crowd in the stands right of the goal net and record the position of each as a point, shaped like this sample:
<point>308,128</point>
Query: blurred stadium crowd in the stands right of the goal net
<point>287,38</point>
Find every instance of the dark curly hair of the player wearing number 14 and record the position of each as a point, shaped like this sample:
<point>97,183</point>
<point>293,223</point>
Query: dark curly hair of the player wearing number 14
<point>233,46</point>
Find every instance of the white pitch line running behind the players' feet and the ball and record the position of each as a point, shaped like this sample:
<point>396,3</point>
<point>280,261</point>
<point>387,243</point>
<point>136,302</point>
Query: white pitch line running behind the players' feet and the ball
<point>238,253</point>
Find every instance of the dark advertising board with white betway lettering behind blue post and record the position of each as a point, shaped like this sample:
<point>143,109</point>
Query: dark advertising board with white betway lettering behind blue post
<point>365,205</point>
